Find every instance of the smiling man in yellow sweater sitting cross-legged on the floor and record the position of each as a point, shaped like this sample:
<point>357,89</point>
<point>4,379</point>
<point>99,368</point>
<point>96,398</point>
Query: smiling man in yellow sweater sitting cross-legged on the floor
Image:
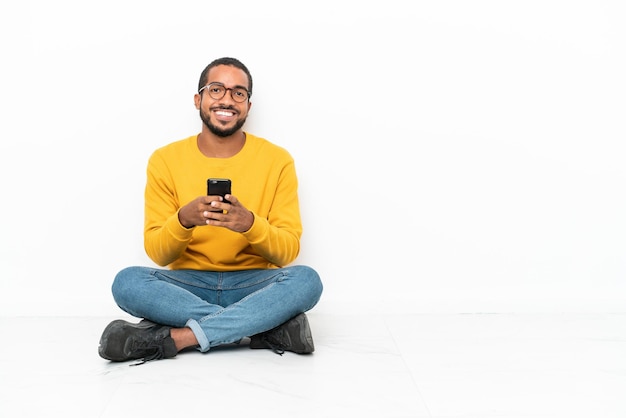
<point>228,257</point>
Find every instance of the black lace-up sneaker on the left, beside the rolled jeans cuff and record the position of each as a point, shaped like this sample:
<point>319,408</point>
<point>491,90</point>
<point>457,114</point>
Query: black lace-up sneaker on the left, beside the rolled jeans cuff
<point>123,341</point>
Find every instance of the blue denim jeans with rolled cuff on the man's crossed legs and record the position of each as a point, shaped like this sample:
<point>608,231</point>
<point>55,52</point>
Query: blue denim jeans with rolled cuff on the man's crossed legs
<point>219,307</point>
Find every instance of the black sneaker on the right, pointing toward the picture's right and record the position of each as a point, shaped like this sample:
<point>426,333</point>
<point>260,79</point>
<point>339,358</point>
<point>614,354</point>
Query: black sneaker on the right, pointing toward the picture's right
<point>294,335</point>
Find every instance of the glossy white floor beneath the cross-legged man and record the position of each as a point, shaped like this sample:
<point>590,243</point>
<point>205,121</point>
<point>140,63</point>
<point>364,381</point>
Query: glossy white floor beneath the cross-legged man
<point>471,366</point>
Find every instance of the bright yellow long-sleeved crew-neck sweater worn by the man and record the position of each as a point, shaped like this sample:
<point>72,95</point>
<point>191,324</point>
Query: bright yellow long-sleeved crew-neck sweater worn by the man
<point>263,179</point>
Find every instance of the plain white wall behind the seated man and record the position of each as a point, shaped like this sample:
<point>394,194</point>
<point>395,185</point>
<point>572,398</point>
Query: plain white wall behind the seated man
<point>454,156</point>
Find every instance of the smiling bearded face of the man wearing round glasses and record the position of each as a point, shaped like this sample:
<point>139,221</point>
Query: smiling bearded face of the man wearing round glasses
<point>223,117</point>
